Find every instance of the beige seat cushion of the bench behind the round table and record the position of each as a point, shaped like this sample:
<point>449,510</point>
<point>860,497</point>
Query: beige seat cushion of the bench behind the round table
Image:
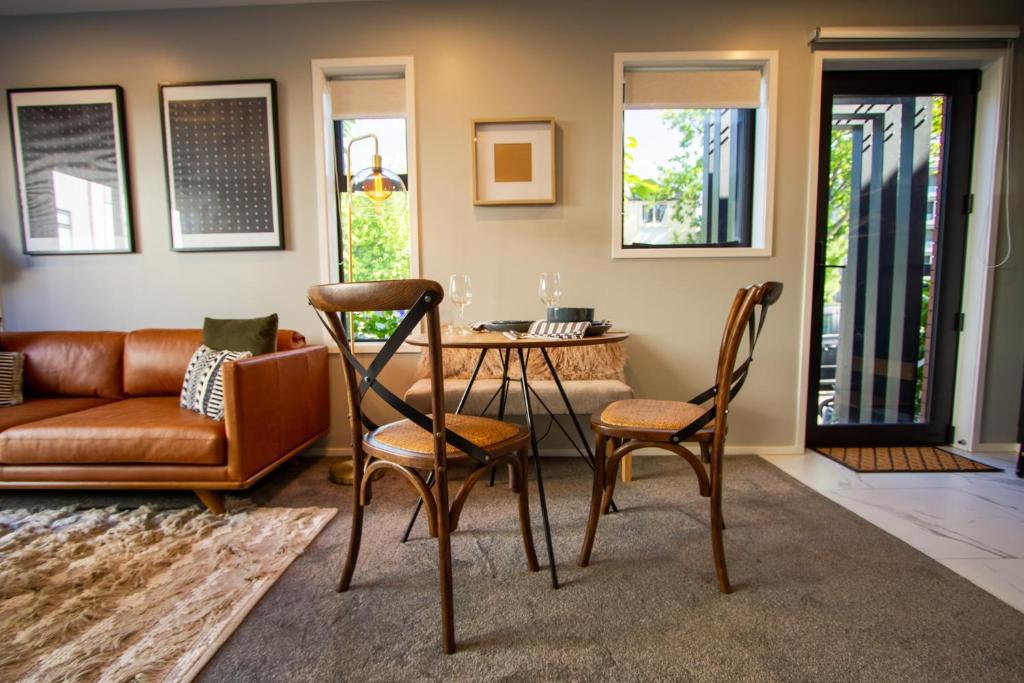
<point>587,397</point>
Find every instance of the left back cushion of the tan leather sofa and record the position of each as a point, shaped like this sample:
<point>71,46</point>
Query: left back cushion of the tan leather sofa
<point>70,364</point>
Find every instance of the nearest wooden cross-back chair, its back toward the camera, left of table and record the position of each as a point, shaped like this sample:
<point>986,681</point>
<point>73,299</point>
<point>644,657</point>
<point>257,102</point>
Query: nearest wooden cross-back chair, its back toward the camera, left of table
<point>419,443</point>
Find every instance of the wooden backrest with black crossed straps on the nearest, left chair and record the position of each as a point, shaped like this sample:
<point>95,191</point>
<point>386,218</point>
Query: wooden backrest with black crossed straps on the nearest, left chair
<point>419,298</point>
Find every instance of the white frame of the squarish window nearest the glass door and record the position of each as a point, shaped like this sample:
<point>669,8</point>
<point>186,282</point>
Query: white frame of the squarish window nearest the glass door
<point>764,148</point>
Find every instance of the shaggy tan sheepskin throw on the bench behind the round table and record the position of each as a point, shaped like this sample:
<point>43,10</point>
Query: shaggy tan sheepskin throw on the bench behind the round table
<point>600,362</point>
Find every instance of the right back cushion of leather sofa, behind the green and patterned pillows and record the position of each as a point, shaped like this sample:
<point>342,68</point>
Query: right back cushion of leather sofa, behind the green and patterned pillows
<point>156,360</point>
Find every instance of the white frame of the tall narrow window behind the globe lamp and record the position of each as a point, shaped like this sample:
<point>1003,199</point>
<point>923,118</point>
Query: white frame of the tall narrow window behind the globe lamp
<point>324,71</point>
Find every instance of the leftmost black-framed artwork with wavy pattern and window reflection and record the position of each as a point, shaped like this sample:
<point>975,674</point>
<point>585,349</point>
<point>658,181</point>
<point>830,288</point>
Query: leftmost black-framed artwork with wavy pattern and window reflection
<point>72,169</point>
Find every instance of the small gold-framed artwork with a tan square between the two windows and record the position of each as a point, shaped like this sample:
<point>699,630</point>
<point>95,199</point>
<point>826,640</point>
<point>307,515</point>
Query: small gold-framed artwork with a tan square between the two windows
<point>514,161</point>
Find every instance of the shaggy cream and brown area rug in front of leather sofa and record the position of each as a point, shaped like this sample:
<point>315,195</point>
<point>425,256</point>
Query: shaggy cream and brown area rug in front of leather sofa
<point>142,594</point>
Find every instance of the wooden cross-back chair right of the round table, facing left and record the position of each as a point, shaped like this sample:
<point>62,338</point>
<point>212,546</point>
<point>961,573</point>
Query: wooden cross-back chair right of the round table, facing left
<point>632,424</point>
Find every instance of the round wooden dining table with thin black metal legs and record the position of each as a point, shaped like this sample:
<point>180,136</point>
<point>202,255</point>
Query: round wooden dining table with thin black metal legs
<point>522,346</point>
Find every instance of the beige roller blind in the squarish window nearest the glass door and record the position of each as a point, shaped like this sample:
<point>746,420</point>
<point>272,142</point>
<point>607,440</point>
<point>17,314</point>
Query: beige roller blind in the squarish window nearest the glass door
<point>693,90</point>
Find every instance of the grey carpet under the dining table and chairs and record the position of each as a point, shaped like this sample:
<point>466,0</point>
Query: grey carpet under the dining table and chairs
<point>820,593</point>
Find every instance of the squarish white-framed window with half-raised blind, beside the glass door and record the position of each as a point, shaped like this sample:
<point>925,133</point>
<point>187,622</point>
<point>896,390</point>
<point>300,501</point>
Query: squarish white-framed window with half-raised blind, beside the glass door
<point>693,155</point>
